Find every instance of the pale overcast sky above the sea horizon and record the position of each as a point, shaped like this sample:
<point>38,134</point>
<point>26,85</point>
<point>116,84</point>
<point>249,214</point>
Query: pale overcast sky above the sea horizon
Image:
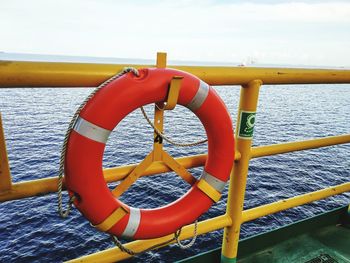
<point>267,32</point>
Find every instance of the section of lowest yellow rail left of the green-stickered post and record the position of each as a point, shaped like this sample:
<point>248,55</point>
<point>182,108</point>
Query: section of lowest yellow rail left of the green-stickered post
<point>114,254</point>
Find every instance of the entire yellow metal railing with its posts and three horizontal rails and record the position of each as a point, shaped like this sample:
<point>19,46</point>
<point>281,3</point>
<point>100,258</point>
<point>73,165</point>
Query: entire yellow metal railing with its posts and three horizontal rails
<point>47,74</point>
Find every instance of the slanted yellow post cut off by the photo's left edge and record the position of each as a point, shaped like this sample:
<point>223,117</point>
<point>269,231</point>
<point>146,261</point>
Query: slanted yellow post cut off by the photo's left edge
<point>5,174</point>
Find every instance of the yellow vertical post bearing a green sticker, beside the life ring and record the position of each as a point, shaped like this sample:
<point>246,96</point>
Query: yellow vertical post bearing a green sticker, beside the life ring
<point>238,179</point>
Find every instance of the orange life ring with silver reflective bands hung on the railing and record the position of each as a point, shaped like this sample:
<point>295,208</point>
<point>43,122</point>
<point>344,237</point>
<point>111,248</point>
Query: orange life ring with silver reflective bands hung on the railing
<point>86,143</point>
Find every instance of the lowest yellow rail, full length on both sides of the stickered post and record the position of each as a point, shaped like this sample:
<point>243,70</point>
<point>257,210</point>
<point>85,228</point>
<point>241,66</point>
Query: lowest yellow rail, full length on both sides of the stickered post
<point>114,254</point>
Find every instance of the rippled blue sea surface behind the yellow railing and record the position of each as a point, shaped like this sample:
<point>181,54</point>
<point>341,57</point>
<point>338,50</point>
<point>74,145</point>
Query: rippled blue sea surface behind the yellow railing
<point>35,121</point>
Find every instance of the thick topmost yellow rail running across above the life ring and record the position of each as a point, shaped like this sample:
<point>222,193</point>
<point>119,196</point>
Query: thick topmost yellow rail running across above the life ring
<point>59,74</point>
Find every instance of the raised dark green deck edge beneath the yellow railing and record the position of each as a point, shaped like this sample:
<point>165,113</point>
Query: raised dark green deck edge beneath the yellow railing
<point>261,241</point>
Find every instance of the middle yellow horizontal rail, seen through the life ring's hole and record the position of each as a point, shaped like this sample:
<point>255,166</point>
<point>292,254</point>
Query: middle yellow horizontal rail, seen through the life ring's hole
<point>49,185</point>
